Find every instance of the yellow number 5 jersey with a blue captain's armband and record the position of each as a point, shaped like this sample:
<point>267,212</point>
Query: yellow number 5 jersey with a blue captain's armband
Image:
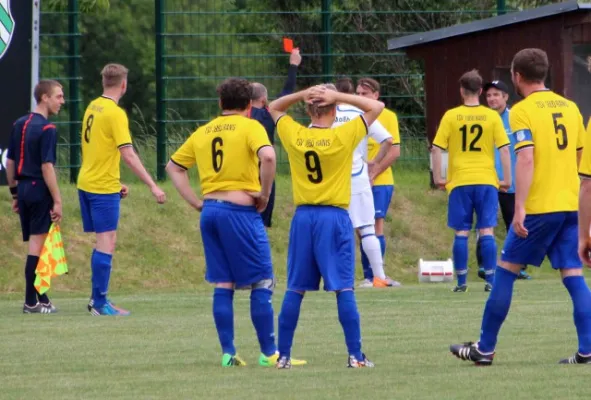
<point>553,126</point>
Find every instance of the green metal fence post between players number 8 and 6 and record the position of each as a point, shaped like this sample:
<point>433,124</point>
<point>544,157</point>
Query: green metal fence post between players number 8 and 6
<point>160,92</point>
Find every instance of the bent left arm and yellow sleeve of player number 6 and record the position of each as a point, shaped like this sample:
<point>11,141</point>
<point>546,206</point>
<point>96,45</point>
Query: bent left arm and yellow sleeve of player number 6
<point>177,167</point>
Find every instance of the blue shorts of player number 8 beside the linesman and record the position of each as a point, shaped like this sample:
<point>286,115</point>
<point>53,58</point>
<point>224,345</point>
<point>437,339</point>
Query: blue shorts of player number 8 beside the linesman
<point>100,212</point>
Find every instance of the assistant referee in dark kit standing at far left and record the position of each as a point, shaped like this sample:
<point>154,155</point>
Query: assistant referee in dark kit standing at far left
<point>33,183</point>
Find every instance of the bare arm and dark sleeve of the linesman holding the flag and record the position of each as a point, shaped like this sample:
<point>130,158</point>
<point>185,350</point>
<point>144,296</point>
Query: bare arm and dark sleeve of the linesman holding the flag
<point>48,159</point>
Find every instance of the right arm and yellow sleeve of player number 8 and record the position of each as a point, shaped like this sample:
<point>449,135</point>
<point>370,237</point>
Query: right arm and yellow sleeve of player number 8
<point>123,141</point>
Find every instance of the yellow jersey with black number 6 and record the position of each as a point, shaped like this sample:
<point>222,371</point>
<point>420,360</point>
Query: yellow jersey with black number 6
<point>226,153</point>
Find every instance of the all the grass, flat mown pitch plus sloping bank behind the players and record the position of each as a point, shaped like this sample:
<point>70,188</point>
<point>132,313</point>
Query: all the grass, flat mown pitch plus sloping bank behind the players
<point>168,348</point>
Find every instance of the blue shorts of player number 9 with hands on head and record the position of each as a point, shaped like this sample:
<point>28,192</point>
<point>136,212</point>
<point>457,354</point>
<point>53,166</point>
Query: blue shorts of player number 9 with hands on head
<point>321,245</point>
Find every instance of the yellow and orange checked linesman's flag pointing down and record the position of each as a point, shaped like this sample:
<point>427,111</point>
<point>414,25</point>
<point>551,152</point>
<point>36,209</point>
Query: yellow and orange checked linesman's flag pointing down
<point>52,261</point>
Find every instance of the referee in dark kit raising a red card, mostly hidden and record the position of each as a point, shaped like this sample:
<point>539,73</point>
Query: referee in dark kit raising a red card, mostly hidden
<point>260,112</point>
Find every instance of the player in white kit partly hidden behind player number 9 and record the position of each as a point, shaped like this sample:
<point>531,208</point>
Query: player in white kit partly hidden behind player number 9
<point>361,208</point>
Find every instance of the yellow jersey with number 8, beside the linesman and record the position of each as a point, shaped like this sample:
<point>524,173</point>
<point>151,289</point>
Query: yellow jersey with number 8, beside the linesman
<point>105,129</point>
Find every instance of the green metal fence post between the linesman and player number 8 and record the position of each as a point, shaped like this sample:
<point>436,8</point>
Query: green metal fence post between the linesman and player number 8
<point>74,87</point>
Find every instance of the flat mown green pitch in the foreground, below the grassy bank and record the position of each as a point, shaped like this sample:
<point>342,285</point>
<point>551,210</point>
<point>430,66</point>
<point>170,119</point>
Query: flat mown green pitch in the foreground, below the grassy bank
<point>168,349</point>
